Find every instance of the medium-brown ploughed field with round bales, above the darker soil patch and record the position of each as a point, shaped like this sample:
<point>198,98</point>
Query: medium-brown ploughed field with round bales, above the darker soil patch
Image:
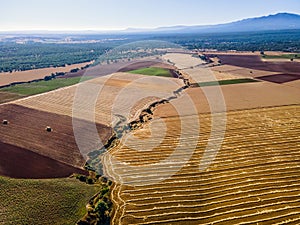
<point>26,130</point>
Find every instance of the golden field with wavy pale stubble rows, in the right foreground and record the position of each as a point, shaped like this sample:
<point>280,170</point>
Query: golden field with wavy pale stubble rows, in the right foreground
<point>254,178</point>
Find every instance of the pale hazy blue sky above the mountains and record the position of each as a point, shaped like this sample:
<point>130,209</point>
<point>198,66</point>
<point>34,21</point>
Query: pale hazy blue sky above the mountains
<point>121,14</point>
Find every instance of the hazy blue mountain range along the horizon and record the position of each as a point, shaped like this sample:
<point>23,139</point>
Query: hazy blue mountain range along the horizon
<point>279,21</point>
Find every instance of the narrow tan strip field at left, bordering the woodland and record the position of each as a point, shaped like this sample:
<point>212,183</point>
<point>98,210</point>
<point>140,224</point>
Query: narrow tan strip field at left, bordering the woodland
<point>28,75</point>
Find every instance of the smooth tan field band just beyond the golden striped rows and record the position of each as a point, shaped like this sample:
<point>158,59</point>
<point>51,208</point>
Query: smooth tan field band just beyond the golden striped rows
<point>238,97</point>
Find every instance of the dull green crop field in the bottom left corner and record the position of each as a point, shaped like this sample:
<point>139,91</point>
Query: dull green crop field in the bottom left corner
<point>55,201</point>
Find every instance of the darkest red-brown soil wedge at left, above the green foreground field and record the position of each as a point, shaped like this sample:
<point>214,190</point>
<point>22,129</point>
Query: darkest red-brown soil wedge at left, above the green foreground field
<point>21,163</point>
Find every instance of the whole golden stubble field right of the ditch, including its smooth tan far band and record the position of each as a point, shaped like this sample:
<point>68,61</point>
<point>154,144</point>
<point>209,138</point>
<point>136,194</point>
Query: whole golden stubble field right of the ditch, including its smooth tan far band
<point>253,177</point>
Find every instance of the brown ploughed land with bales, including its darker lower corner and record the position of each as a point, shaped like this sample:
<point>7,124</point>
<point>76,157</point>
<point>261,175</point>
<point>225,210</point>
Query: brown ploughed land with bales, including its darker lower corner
<point>53,154</point>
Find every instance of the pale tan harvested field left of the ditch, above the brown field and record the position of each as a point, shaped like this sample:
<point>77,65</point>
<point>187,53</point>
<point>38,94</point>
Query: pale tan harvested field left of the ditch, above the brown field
<point>61,101</point>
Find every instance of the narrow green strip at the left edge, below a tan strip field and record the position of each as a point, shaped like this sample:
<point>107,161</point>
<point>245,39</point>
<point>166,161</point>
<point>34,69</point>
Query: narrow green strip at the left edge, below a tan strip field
<point>33,88</point>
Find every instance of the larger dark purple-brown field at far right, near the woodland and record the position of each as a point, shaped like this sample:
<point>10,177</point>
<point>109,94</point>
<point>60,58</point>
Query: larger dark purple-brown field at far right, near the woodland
<point>255,62</point>
